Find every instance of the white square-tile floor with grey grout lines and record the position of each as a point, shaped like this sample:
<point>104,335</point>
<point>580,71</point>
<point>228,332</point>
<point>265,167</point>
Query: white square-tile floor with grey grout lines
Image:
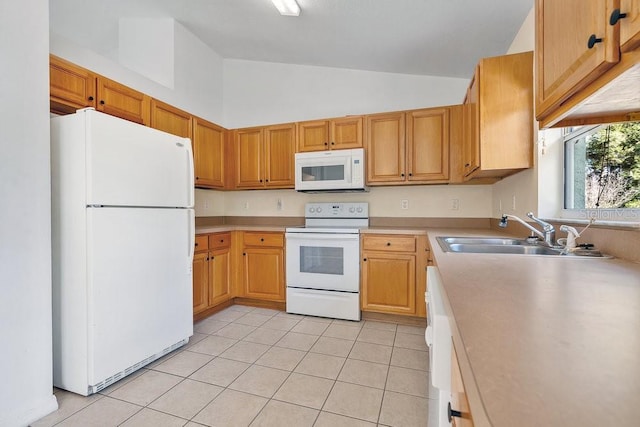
<point>260,367</point>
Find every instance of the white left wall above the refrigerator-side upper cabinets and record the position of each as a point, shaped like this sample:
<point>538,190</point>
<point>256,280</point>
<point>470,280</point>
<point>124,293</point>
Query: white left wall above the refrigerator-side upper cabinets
<point>198,73</point>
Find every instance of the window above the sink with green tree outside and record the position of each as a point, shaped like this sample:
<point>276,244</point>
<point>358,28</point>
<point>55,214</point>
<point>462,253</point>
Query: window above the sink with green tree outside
<point>602,168</point>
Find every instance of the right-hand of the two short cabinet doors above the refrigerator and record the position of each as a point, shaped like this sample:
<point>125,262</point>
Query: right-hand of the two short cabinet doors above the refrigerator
<point>121,101</point>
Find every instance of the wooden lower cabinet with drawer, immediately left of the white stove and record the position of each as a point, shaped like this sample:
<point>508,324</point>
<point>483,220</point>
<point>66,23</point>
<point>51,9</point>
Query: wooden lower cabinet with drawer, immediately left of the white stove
<point>263,266</point>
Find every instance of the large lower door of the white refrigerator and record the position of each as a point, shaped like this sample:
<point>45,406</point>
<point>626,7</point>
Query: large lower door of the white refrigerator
<point>139,285</point>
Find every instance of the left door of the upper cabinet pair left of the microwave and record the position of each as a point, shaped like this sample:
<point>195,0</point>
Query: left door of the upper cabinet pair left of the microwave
<point>249,158</point>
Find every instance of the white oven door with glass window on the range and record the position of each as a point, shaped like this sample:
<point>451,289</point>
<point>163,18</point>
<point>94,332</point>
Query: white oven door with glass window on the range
<point>323,261</point>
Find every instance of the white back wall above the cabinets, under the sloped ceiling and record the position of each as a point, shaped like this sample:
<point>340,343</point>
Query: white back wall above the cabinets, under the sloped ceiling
<point>260,93</point>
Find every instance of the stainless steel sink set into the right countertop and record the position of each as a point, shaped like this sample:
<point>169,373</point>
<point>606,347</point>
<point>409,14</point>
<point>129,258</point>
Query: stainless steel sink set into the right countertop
<point>499,245</point>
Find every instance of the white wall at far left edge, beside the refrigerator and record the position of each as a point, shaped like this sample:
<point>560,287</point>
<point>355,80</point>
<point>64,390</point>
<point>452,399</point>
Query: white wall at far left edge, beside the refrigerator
<point>25,218</point>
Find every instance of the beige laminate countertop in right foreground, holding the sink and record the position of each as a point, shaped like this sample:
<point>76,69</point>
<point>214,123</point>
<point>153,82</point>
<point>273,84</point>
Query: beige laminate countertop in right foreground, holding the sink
<point>548,341</point>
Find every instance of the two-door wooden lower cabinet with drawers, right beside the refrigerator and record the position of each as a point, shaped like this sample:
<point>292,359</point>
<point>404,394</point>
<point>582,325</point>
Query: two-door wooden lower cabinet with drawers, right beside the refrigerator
<point>211,271</point>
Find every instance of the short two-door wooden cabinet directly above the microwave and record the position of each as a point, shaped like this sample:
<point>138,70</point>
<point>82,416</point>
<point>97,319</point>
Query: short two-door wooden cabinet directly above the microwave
<point>334,134</point>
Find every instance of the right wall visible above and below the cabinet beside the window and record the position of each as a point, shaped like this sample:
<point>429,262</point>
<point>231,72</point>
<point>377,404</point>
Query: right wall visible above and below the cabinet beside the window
<point>522,186</point>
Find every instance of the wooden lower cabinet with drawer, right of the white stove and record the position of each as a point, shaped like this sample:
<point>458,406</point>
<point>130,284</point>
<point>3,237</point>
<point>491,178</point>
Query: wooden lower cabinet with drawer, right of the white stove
<point>393,279</point>
